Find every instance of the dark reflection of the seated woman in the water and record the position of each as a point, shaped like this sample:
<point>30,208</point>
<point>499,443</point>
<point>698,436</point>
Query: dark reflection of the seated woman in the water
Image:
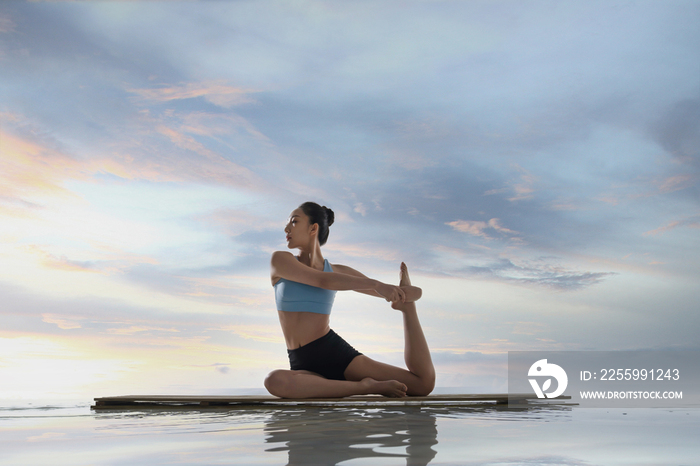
<point>329,436</point>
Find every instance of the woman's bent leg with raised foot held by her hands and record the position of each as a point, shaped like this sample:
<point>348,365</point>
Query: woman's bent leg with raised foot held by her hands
<point>420,376</point>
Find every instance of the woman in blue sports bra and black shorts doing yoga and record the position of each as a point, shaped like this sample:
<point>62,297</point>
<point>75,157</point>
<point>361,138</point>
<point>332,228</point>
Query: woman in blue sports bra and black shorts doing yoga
<point>322,364</point>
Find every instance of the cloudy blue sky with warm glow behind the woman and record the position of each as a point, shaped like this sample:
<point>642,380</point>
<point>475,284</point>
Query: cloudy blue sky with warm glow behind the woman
<point>535,163</point>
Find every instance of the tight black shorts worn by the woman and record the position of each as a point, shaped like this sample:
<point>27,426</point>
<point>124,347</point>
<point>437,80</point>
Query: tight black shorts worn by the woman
<point>328,356</point>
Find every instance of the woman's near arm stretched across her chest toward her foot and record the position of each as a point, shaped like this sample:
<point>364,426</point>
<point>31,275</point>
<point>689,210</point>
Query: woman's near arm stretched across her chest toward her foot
<point>284,265</point>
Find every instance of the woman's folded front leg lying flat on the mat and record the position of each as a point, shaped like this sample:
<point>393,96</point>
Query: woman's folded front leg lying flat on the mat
<point>305,384</point>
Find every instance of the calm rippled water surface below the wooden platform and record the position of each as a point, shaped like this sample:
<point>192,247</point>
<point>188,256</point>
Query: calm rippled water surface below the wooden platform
<point>476,435</point>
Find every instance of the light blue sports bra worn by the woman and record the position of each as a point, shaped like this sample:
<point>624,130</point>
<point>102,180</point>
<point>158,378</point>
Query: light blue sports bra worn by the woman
<point>293,296</point>
